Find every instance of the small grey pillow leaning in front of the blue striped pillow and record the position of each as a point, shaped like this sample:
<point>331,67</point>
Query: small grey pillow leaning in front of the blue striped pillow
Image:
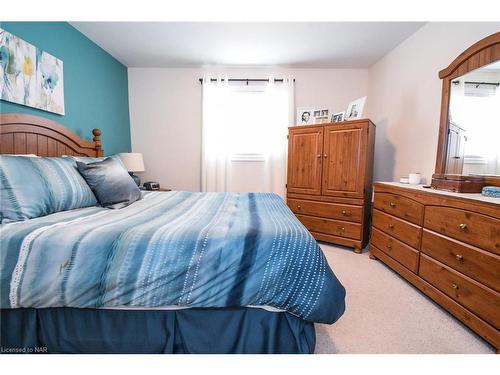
<point>110,182</point>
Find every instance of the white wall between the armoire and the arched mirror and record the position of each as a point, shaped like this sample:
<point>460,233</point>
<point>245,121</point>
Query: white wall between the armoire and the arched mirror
<point>404,96</point>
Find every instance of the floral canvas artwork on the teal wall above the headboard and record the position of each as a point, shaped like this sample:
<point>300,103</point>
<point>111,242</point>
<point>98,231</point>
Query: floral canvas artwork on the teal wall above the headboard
<point>30,76</point>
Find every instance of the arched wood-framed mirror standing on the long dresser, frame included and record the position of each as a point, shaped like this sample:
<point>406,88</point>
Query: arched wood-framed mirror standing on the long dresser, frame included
<point>469,134</point>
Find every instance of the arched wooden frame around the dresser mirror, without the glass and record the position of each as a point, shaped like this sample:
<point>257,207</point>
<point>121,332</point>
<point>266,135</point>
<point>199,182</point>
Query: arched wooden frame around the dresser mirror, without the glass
<point>484,52</point>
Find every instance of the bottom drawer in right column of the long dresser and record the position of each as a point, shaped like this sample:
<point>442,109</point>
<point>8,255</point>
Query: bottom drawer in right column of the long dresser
<point>482,301</point>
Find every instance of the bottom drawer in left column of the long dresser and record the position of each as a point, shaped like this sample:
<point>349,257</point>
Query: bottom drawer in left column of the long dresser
<point>397,250</point>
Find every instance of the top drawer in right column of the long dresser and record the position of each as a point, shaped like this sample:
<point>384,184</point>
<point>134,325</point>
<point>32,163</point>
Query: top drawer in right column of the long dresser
<point>479,230</point>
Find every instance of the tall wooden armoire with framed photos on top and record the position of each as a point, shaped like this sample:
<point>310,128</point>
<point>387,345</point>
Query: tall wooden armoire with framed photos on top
<point>329,181</point>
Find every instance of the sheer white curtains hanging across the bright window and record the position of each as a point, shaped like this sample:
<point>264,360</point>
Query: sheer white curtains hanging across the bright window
<point>244,135</point>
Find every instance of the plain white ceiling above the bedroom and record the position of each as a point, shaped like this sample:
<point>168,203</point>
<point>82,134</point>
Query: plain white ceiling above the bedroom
<point>290,44</point>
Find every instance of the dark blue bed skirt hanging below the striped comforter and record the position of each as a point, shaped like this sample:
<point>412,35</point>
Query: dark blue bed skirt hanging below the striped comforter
<point>225,330</point>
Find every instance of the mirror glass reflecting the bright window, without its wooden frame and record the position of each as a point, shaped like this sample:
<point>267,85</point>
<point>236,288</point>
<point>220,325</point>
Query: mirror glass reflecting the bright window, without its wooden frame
<point>474,122</point>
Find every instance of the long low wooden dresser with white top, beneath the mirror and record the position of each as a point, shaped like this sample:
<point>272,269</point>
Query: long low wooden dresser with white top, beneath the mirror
<point>447,245</point>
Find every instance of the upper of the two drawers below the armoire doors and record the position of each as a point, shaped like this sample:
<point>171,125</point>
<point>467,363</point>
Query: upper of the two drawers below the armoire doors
<point>327,210</point>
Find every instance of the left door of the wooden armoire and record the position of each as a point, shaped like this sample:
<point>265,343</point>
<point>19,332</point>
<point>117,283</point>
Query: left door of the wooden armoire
<point>305,147</point>
